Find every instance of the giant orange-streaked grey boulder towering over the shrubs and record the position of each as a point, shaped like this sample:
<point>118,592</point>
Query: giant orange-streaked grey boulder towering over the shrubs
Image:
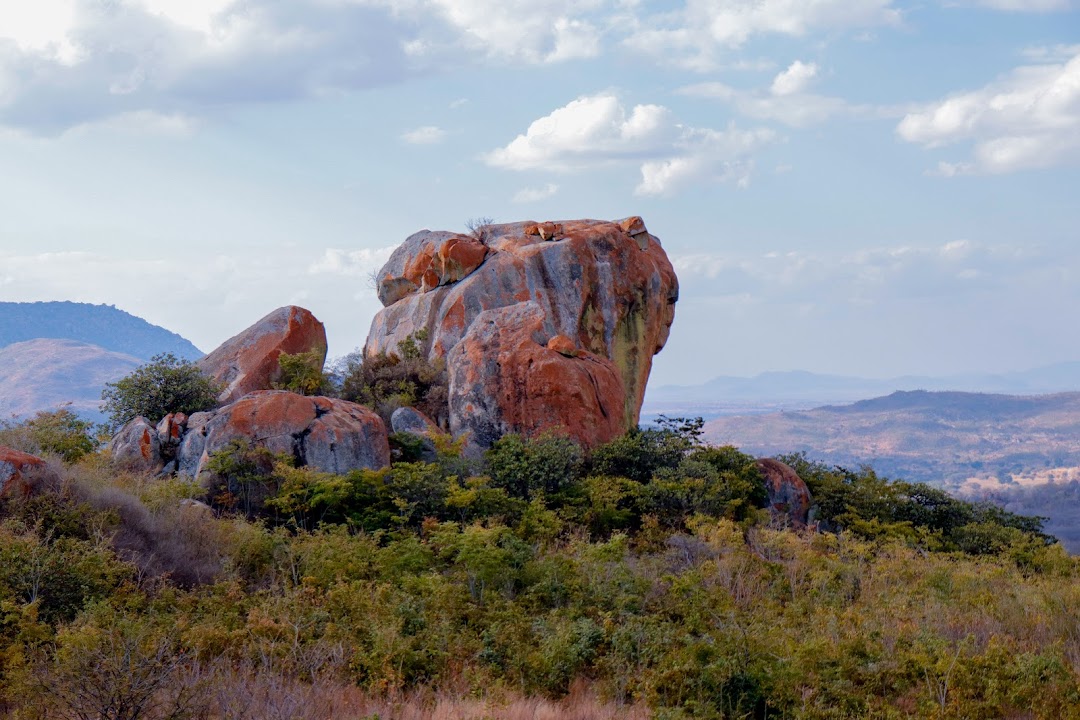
<point>601,300</point>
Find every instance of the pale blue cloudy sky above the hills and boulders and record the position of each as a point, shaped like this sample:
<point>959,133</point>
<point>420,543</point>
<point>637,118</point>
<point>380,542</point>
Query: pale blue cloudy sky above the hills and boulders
<point>858,187</point>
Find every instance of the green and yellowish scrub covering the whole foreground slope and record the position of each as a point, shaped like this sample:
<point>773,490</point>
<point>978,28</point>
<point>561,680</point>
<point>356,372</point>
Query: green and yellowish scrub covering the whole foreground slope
<point>643,580</point>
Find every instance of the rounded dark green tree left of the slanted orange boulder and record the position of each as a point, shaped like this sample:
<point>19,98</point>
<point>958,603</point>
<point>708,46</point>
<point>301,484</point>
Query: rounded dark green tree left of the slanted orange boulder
<point>165,385</point>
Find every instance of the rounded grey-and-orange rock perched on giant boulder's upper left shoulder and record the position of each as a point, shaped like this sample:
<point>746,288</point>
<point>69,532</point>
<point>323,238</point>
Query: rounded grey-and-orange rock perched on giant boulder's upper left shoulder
<point>428,261</point>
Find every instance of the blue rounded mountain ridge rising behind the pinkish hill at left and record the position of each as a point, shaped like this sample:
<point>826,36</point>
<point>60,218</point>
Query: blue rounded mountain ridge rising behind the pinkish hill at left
<point>106,327</point>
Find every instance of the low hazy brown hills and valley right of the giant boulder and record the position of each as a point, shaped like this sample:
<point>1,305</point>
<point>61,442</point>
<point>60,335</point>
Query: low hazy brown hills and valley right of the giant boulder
<point>946,439</point>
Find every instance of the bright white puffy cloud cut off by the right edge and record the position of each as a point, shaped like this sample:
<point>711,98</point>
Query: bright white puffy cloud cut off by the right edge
<point>1028,119</point>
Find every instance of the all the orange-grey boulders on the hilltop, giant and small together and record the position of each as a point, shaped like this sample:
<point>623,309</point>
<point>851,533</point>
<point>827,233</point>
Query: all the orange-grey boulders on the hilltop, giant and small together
<point>542,327</point>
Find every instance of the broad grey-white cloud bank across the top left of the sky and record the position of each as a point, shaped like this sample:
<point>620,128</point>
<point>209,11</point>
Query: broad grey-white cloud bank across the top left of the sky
<point>70,63</point>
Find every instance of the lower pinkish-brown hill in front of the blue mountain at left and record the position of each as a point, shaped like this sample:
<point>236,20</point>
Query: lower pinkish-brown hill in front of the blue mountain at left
<point>45,374</point>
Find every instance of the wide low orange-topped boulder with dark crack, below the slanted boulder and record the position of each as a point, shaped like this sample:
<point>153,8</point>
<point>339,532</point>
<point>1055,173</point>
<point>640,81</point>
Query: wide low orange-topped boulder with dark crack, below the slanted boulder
<point>328,434</point>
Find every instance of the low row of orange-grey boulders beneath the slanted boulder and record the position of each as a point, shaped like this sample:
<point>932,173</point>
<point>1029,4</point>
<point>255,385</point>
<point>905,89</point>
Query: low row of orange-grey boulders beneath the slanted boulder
<point>323,433</point>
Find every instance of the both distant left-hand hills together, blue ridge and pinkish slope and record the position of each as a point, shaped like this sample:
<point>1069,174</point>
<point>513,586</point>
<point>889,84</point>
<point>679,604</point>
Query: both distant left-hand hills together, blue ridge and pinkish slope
<point>58,354</point>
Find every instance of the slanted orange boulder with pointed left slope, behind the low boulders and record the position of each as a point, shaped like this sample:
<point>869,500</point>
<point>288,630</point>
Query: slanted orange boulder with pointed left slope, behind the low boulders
<point>249,362</point>
